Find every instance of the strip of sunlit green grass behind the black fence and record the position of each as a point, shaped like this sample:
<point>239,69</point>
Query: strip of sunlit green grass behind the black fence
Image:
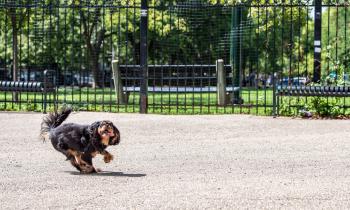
<point>256,101</point>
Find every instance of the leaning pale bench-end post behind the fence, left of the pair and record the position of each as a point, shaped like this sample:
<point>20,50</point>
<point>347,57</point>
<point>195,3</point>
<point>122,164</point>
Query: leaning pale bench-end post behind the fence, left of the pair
<point>118,85</point>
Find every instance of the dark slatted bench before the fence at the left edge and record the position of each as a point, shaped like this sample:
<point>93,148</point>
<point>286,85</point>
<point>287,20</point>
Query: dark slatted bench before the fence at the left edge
<point>45,87</point>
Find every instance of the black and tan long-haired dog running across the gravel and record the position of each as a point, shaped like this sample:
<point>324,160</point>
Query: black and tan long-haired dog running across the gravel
<point>79,143</point>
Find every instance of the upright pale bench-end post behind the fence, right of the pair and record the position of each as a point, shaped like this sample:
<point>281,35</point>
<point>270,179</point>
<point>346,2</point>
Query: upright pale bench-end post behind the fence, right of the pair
<point>221,82</point>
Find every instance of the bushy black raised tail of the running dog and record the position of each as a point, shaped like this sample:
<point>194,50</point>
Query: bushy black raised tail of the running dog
<point>53,120</point>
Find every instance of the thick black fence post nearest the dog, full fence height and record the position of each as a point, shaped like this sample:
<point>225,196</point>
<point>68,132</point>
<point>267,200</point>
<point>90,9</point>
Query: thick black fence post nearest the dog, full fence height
<point>143,57</point>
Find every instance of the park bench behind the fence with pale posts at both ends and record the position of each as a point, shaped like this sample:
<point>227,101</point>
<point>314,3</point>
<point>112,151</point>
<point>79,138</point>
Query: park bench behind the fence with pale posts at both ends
<point>181,83</point>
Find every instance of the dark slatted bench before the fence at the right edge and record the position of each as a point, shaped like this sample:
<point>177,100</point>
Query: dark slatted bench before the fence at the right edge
<point>318,91</point>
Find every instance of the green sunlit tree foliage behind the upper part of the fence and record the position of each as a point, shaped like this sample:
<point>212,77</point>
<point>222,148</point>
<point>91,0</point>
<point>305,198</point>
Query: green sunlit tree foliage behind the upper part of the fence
<point>81,35</point>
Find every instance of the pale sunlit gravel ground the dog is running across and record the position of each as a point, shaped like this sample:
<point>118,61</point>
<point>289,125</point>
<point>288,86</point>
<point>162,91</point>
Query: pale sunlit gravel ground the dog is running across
<point>182,162</point>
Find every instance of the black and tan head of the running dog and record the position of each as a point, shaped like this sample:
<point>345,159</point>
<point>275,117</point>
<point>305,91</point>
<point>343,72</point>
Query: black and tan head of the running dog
<point>106,131</point>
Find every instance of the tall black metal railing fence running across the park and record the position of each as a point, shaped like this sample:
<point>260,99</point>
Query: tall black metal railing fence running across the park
<point>167,53</point>
